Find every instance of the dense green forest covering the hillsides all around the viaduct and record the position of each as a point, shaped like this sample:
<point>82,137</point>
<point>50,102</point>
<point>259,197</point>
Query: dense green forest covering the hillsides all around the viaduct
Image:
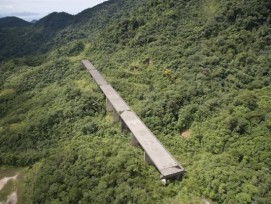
<point>197,72</point>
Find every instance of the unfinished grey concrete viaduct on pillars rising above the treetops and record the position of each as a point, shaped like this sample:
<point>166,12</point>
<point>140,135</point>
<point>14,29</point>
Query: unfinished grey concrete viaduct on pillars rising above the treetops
<point>154,152</point>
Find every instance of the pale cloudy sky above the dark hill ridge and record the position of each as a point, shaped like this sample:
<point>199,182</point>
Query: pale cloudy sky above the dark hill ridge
<point>36,9</point>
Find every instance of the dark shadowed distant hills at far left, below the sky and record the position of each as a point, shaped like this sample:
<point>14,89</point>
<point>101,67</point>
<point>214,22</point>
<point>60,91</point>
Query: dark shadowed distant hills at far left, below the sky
<point>31,37</point>
